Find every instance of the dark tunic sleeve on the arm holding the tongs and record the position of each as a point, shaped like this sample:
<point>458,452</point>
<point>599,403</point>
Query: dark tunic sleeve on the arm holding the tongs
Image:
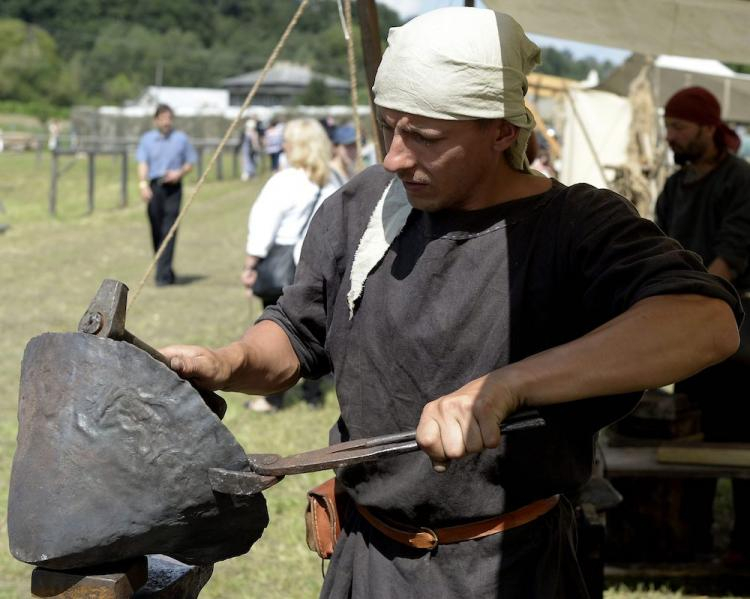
<point>620,258</point>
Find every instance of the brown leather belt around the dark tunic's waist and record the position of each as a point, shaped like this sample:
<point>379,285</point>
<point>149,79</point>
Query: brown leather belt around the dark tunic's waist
<point>428,538</point>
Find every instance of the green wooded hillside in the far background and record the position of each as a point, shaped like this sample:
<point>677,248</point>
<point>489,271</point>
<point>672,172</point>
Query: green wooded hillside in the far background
<point>55,53</point>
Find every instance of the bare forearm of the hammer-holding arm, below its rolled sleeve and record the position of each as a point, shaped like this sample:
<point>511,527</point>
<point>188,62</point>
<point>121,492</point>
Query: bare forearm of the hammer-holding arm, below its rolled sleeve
<point>261,362</point>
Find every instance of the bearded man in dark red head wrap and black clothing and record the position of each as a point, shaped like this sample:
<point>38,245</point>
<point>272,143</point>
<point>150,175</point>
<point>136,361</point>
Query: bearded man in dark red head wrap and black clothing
<point>706,207</point>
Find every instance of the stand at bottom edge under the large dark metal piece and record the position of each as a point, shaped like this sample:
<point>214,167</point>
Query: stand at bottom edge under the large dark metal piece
<point>151,577</point>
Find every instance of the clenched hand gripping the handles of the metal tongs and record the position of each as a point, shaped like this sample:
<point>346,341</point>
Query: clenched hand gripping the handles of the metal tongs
<point>465,421</point>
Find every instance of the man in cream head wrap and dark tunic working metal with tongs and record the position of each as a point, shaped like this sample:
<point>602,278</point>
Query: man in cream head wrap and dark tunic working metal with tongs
<point>451,287</point>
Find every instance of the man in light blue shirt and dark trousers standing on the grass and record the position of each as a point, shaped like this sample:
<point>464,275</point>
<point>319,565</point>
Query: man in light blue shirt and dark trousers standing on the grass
<point>164,157</point>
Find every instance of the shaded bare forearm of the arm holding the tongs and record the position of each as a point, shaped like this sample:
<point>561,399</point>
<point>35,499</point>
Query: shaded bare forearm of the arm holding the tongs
<point>658,341</point>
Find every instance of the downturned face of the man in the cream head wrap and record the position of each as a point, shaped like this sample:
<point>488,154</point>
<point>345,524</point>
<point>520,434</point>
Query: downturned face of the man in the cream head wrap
<point>441,163</point>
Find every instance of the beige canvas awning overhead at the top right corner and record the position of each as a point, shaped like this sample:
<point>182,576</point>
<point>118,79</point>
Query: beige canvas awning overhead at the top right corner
<point>718,29</point>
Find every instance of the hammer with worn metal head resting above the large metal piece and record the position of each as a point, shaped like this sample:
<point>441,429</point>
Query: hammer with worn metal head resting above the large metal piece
<point>105,317</point>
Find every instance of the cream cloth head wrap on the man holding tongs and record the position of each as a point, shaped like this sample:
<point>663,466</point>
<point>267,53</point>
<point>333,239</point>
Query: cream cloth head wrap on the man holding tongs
<point>460,64</point>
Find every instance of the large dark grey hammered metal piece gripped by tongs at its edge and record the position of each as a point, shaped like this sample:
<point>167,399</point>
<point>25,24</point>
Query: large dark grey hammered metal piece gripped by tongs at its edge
<point>112,461</point>
